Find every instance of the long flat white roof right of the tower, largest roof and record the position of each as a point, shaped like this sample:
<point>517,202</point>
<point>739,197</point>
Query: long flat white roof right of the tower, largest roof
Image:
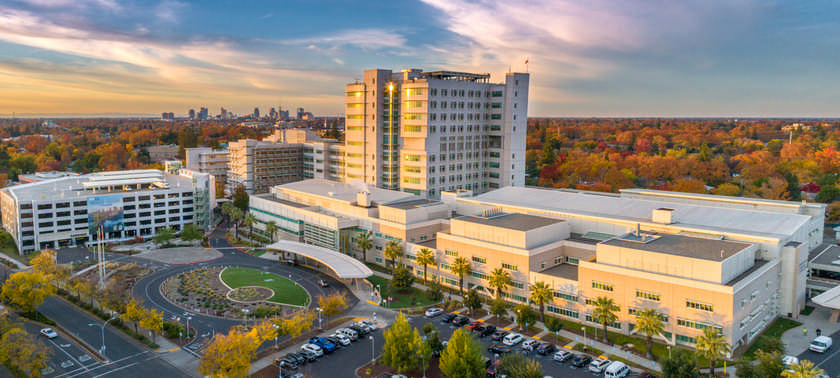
<point>717,219</point>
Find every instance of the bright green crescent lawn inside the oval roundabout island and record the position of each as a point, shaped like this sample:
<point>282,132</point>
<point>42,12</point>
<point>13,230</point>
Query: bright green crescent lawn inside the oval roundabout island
<point>285,291</point>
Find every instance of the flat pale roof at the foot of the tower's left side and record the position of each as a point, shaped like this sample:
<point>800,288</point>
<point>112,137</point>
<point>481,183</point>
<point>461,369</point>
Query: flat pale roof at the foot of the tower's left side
<point>344,191</point>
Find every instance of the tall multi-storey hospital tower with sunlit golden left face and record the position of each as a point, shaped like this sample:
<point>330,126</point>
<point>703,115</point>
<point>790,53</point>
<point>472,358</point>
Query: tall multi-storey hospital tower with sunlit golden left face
<point>427,132</point>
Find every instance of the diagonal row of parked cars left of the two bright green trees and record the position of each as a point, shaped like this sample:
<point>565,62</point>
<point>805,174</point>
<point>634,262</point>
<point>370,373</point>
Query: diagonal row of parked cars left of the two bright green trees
<point>317,347</point>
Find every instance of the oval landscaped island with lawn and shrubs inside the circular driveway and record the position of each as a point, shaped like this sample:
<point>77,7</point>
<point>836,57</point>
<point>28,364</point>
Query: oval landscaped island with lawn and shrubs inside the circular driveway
<point>232,292</point>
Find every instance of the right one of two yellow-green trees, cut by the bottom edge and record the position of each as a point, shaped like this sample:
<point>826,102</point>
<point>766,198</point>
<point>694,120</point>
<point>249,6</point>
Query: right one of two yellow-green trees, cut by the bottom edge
<point>463,357</point>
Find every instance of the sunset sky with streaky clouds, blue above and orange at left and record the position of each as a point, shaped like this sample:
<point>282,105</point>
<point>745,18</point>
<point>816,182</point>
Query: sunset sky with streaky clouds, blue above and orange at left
<point>622,58</point>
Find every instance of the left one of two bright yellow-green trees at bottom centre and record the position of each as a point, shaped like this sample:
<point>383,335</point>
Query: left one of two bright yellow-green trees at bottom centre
<point>404,348</point>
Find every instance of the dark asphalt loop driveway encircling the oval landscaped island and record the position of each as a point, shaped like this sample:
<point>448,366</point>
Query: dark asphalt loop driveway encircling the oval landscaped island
<point>205,326</point>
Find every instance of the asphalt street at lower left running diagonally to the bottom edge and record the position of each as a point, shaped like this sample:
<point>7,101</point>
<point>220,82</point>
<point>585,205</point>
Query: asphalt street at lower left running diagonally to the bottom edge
<point>126,357</point>
